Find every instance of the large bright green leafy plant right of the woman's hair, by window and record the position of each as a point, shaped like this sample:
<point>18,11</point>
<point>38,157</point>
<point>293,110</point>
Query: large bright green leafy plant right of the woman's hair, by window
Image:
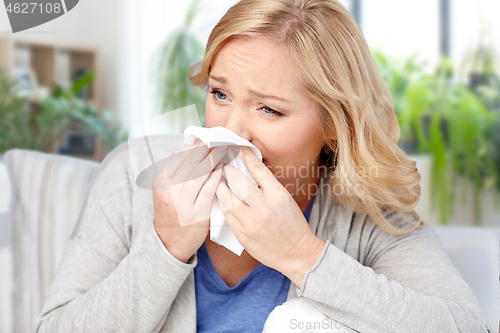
<point>447,121</point>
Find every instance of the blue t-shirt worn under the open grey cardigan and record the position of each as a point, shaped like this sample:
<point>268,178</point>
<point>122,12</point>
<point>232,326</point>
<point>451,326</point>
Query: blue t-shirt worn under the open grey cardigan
<point>243,307</point>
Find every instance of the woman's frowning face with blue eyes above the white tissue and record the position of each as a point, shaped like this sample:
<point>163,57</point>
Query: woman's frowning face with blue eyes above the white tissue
<point>244,77</point>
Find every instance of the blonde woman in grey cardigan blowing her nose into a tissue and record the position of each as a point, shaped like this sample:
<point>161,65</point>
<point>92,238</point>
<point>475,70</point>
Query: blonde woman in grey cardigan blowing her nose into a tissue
<point>296,79</point>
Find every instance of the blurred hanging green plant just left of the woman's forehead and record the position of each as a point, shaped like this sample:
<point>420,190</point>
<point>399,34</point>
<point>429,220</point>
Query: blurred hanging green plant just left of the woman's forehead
<point>170,70</point>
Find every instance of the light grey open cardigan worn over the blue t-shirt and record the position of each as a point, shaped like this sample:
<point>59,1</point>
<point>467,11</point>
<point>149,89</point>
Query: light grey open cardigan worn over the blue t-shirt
<point>116,275</point>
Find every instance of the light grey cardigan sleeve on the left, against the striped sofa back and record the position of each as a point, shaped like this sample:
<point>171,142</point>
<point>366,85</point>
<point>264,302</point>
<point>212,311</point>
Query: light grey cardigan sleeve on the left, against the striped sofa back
<point>107,283</point>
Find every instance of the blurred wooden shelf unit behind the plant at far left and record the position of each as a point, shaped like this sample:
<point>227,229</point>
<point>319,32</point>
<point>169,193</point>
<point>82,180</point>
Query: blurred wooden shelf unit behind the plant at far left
<point>46,61</point>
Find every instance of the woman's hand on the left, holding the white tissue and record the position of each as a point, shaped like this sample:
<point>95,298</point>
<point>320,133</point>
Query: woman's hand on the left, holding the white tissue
<point>182,200</point>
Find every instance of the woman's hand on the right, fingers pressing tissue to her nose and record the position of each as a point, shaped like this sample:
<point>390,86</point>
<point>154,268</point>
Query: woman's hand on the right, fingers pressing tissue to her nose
<point>270,226</point>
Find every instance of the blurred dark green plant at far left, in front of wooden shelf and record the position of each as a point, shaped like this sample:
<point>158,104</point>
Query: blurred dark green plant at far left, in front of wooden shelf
<point>36,125</point>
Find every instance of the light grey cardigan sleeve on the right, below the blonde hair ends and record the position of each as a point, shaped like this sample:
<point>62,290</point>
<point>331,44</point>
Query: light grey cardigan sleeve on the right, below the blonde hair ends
<point>410,285</point>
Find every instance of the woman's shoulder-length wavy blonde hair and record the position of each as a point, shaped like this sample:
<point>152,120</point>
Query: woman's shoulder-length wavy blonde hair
<point>338,72</point>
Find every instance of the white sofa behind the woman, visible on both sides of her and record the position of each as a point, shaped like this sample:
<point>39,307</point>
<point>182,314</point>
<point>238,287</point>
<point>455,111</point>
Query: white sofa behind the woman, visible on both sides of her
<point>48,191</point>
